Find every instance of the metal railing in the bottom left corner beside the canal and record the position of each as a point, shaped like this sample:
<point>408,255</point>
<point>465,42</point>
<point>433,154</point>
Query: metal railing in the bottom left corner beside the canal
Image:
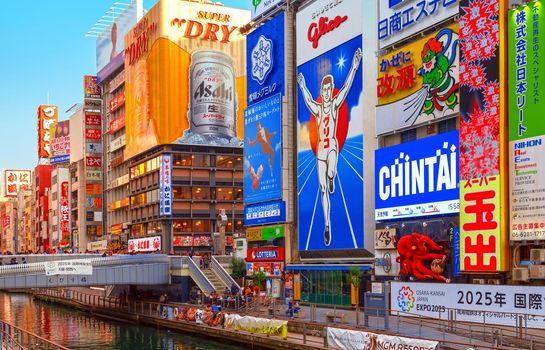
<point>15,338</point>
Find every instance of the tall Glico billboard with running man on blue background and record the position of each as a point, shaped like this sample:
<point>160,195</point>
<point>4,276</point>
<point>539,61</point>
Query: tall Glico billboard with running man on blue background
<point>330,126</point>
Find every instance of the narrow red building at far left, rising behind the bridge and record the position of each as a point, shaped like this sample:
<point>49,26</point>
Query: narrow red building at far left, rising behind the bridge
<point>41,188</point>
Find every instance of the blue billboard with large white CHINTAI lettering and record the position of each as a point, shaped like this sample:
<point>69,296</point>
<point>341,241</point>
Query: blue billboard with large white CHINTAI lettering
<point>418,178</point>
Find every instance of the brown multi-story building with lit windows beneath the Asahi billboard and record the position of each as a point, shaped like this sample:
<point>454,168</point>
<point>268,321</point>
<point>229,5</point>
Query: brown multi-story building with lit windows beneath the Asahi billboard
<point>204,181</point>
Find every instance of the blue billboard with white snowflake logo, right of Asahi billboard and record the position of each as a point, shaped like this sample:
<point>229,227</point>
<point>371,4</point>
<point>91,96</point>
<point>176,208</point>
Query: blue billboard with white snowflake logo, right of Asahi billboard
<point>265,60</point>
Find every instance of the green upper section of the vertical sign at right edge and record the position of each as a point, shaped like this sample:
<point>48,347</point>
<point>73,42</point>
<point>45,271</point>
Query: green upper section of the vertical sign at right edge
<point>526,83</point>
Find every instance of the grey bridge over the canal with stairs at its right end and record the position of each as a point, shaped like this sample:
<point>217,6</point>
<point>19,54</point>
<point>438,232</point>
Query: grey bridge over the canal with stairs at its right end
<point>41,271</point>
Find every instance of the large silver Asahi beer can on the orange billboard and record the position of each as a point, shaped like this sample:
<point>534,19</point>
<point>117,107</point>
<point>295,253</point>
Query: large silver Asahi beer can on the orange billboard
<point>213,100</point>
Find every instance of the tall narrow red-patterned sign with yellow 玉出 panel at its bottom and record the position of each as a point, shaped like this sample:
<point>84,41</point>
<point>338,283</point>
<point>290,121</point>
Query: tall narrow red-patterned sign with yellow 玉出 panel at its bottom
<point>482,246</point>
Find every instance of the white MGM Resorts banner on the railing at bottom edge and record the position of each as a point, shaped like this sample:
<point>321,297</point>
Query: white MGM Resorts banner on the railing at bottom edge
<point>338,338</point>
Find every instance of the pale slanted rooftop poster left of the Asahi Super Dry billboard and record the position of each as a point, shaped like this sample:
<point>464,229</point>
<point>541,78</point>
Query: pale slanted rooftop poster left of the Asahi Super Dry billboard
<point>110,43</point>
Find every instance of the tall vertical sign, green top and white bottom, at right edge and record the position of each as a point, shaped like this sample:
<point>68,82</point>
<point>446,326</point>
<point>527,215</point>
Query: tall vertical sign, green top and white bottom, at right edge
<point>526,27</point>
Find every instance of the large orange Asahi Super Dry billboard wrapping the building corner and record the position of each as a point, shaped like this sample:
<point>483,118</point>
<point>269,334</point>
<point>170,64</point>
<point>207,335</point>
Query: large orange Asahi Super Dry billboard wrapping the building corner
<point>185,66</point>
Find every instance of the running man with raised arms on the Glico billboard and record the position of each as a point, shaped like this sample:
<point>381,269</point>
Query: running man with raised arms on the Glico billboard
<point>326,113</point>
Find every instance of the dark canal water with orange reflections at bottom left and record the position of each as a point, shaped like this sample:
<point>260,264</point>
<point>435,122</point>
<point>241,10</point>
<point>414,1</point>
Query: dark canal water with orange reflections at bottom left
<point>78,331</point>
